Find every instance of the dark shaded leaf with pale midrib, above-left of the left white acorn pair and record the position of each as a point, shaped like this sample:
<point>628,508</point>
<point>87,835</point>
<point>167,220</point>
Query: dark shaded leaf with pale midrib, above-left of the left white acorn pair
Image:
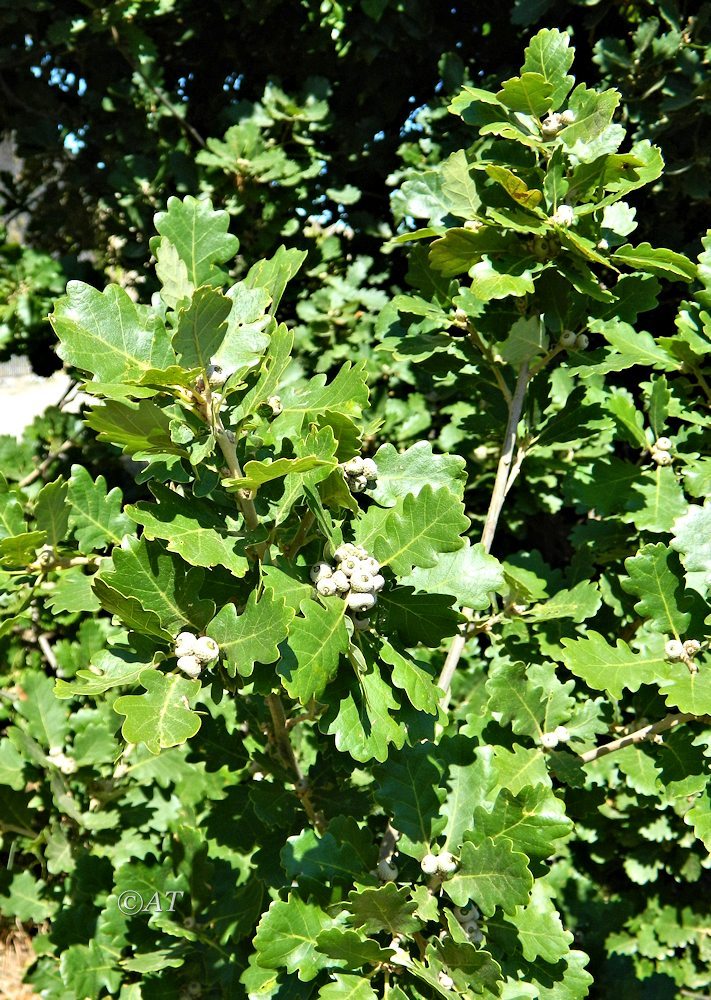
<point>161,583</point>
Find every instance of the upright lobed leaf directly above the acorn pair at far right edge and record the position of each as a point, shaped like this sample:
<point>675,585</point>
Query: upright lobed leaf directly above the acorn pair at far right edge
<point>654,577</point>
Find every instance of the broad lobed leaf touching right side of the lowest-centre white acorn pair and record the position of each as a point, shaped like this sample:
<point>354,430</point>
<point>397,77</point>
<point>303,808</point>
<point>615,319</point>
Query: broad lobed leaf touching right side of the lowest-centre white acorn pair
<point>492,875</point>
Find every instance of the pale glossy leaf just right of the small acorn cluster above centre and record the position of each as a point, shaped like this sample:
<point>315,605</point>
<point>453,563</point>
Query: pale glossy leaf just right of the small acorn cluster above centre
<point>400,473</point>
